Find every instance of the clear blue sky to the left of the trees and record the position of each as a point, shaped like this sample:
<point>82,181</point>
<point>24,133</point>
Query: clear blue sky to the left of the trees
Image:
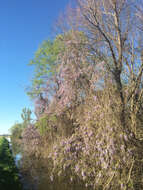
<point>23,27</point>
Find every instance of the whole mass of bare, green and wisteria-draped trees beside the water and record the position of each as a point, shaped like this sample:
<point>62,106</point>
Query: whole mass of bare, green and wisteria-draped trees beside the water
<point>89,117</point>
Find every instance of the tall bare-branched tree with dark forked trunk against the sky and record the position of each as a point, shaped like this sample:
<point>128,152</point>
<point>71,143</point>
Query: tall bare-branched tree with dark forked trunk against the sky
<point>111,26</point>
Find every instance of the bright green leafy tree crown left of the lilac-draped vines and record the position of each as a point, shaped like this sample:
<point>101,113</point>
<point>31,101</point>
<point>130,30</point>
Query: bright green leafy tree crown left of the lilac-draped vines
<point>45,65</point>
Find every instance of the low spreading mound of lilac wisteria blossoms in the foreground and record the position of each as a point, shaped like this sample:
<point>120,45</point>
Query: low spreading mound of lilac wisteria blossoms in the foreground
<point>95,150</point>
